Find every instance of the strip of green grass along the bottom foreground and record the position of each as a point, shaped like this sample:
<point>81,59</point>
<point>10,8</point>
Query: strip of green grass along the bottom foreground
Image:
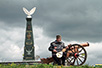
<point>41,66</point>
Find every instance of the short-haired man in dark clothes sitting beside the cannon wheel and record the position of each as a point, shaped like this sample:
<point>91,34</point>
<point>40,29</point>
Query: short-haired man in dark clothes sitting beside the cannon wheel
<point>55,47</point>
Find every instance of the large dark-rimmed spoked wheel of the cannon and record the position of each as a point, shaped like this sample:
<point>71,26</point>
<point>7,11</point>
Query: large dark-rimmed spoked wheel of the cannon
<point>78,55</point>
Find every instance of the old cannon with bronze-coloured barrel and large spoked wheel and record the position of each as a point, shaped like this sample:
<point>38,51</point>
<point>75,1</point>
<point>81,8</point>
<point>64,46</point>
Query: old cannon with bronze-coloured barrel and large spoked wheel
<point>75,55</point>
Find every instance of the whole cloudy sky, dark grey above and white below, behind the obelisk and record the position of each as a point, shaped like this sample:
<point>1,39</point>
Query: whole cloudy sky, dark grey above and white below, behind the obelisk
<point>78,21</point>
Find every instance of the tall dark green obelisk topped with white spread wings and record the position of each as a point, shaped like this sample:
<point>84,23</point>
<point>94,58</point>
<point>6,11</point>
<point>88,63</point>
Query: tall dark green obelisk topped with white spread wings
<point>29,49</point>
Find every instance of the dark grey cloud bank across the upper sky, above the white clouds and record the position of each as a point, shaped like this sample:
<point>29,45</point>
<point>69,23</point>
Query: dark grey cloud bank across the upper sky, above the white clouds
<point>74,20</point>
